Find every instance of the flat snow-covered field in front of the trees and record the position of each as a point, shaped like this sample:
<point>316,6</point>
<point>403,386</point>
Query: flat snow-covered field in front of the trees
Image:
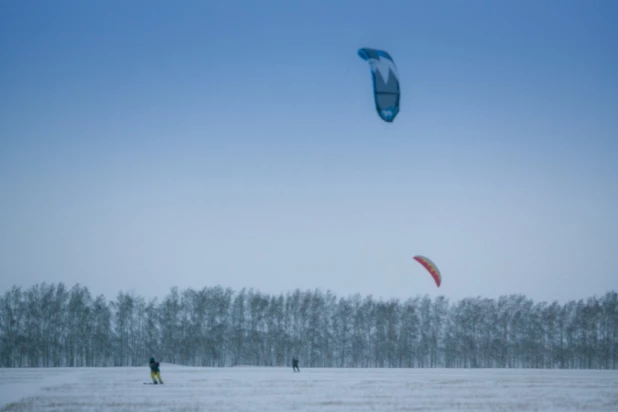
<point>279,389</point>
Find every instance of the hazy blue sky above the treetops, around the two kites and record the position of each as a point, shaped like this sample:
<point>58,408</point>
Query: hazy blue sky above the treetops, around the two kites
<point>145,145</point>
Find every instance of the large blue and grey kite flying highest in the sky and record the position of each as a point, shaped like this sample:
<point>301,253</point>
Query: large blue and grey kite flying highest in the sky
<point>385,82</point>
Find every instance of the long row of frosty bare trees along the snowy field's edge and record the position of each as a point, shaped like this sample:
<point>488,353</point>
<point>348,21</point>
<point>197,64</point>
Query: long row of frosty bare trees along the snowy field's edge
<point>49,325</point>
